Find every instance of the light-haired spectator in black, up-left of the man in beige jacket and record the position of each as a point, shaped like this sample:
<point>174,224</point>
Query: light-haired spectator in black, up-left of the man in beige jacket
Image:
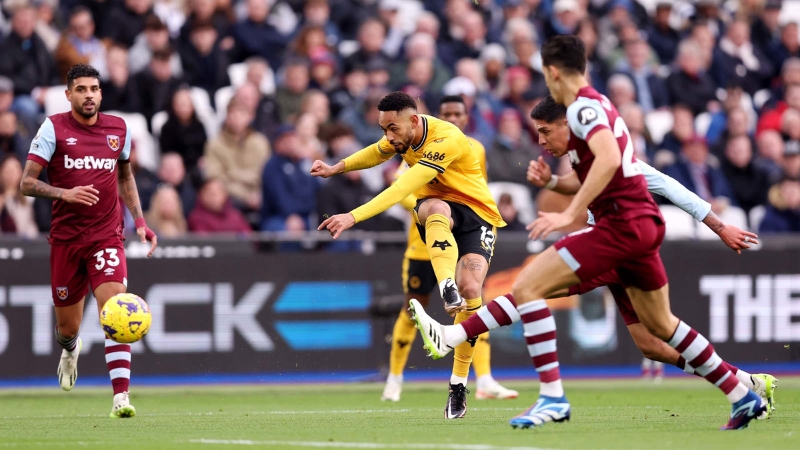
<point>184,134</point>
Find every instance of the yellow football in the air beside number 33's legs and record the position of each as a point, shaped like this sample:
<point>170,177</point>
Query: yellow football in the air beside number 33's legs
<point>125,318</point>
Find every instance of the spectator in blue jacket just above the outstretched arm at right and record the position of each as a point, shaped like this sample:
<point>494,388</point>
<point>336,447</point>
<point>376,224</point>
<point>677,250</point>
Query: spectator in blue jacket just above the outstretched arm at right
<point>697,172</point>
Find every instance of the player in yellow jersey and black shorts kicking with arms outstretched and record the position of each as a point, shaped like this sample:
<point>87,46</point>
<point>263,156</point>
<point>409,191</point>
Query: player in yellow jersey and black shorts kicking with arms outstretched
<point>455,213</point>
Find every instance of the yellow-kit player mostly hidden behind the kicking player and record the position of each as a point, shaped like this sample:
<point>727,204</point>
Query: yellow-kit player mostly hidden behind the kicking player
<point>419,280</point>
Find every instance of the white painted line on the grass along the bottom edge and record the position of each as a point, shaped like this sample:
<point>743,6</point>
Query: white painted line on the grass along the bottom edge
<point>369,445</point>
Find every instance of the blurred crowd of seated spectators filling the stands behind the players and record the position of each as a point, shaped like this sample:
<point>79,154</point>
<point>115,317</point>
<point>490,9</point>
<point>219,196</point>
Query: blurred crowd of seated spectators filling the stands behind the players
<point>237,98</point>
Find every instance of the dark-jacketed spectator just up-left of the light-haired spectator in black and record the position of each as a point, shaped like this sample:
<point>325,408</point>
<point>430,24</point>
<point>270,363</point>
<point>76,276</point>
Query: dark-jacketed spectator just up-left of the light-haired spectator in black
<point>160,81</point>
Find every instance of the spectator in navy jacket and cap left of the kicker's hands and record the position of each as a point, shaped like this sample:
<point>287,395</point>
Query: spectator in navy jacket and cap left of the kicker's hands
<point>289,190</point>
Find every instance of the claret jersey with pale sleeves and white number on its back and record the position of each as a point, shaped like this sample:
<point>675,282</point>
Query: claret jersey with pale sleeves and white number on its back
<point>626,195</point>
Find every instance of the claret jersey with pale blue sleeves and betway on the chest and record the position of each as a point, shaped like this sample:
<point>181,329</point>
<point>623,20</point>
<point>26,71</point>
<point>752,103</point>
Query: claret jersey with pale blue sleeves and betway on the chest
<point>80,155</point>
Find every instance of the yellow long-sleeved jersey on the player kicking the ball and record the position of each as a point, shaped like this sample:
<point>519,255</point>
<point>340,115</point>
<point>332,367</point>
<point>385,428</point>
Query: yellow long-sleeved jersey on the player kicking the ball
<point>443,165</point>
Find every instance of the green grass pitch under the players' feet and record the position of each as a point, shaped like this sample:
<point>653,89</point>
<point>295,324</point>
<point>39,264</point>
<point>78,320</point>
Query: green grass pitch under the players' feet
<point>629,414</point>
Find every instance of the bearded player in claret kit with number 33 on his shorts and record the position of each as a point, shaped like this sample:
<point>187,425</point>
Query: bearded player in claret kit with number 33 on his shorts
<point>87,156</point>
